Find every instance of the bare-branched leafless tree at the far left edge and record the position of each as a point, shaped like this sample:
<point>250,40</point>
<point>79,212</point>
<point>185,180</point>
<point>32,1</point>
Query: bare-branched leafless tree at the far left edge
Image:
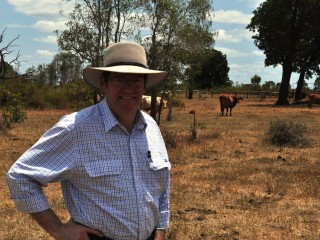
<point>6,70</point>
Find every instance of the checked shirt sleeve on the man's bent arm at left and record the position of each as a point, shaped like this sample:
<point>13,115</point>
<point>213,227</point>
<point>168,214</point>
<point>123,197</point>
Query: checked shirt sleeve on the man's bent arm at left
<point>46,161</point>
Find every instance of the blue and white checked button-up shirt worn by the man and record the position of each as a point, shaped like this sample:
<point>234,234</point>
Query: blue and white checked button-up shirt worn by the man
<point>111,180</point>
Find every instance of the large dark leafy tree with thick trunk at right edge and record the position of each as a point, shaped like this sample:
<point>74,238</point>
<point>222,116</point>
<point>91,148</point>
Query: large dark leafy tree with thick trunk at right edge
<point>288,34</point>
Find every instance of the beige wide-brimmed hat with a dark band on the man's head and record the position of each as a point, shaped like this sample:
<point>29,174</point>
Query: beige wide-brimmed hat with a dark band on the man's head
<point>124,57</point>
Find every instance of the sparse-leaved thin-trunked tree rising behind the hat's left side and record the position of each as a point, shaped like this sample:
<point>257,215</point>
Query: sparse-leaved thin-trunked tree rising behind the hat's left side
<point>94,24</point>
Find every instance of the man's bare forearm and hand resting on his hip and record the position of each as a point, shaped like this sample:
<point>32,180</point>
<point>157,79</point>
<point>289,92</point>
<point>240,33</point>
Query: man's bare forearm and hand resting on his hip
<point>50,222</point>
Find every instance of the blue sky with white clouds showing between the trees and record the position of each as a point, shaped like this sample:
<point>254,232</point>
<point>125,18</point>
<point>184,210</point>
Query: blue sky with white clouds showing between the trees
<point>35,20</point>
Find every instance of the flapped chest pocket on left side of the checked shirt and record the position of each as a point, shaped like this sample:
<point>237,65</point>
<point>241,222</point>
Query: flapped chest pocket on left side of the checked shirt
<point>98,168</point>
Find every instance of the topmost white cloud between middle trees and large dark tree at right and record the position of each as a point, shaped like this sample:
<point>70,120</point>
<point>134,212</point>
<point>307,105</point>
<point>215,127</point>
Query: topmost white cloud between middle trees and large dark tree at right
<point>232,16</point>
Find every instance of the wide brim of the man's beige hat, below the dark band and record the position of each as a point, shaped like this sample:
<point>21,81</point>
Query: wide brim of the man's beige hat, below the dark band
<point>92,74</point>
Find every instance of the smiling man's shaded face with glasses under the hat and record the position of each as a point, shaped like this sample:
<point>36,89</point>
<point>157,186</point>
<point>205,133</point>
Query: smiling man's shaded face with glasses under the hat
<point>123,91</point>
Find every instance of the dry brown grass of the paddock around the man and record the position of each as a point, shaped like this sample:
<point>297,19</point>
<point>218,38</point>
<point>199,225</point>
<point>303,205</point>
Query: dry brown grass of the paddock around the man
<point>228,183</point>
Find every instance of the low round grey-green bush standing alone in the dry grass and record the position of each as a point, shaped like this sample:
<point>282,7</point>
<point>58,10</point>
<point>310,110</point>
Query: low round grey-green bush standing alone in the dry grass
<point>287,133</point>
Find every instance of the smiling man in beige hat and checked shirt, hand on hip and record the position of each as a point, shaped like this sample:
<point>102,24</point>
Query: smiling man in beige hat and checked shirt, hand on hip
<point>110,158</point>
